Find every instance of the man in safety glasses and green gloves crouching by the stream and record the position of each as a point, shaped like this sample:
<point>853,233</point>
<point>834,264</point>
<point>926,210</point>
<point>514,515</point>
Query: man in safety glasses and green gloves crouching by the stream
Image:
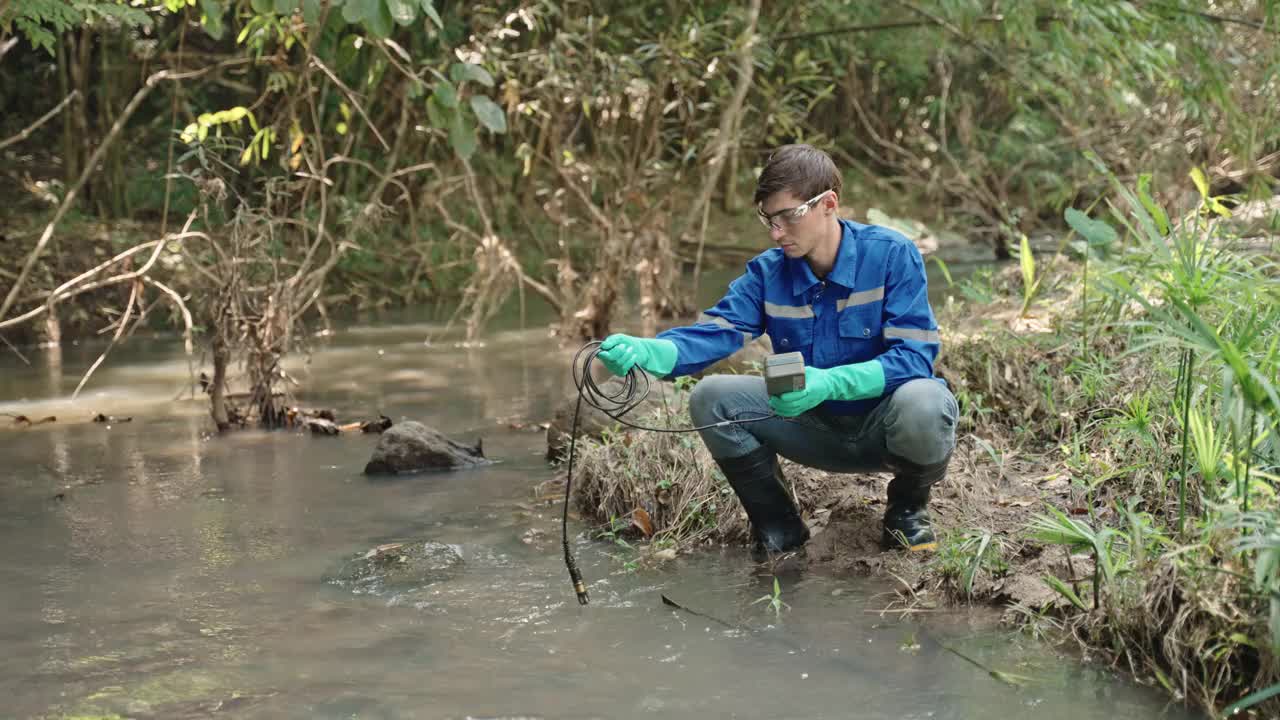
<point>853,300</point>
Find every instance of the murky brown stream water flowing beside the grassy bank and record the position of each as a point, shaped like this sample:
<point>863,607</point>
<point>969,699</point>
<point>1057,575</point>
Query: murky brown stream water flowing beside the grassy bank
<point>184,576</point>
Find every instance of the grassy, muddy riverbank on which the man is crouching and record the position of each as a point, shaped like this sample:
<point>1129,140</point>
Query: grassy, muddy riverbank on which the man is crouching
<point>1087,496</point>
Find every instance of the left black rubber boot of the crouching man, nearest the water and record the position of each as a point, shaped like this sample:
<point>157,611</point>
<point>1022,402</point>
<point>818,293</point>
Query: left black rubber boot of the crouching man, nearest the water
<point>757,480</point>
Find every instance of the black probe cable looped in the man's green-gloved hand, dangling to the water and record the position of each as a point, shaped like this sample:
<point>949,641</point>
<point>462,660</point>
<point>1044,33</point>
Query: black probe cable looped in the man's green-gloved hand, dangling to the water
<point>633,393</point>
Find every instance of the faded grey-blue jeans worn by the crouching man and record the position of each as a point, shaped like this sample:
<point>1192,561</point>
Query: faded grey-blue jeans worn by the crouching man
<point>917,423</point>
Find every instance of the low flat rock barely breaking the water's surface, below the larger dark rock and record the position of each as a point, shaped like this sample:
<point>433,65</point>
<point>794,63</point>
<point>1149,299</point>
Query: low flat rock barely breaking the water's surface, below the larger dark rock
<point>396,568</point>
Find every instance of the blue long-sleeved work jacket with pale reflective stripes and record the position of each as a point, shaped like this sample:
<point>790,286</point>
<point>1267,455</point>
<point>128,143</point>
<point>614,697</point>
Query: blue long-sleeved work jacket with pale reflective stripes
<point>872,306</point>
